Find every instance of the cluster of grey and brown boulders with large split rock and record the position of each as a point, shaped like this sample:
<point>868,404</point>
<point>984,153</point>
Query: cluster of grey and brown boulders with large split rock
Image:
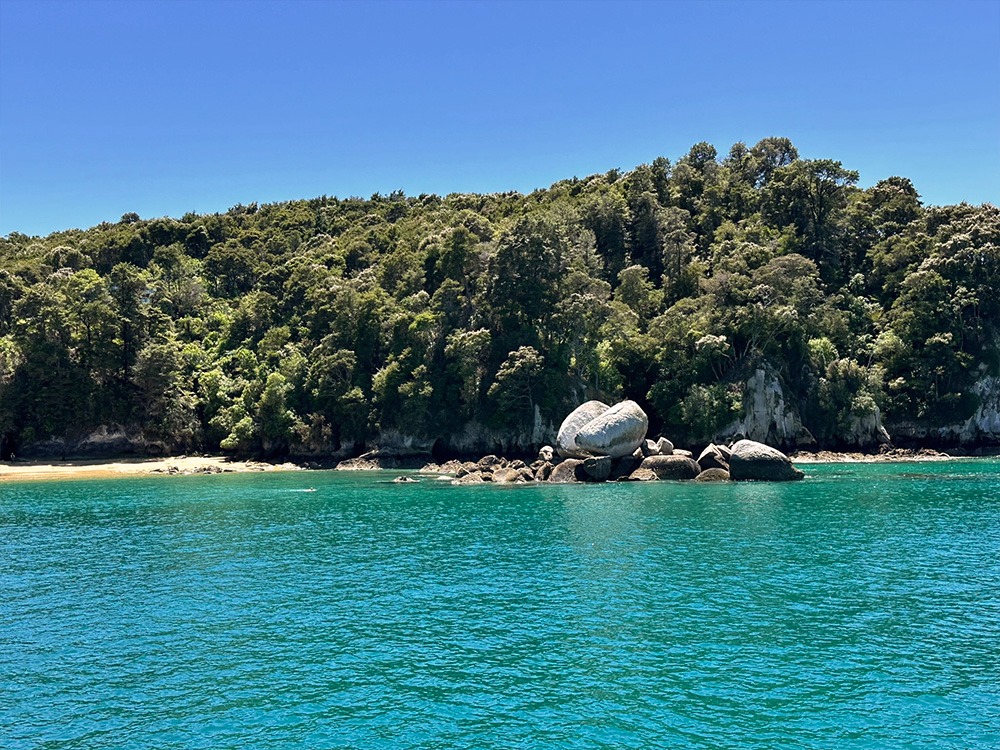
<point>599,443</point>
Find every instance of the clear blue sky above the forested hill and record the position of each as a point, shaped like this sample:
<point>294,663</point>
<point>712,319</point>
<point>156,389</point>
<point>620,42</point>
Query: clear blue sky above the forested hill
<point>167,107</point>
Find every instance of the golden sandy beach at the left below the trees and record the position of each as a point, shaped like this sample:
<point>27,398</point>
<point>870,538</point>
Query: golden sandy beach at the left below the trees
<point>106,468</point>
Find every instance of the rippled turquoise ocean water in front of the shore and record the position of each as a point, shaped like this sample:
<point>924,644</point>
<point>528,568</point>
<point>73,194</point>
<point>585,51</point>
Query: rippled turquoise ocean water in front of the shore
<point>857,609</point>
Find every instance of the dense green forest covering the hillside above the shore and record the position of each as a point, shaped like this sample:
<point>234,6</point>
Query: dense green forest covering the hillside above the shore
<point>316,326</point>
